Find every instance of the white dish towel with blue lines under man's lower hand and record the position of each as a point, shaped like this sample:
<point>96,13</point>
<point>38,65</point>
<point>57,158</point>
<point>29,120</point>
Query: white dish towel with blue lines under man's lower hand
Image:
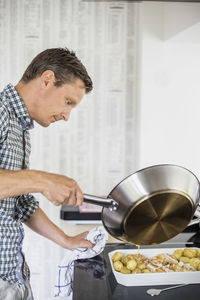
<point>65,272</point>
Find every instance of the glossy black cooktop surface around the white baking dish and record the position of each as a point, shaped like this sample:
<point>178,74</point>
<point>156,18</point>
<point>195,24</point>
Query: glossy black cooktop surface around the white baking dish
<point>94,280</point>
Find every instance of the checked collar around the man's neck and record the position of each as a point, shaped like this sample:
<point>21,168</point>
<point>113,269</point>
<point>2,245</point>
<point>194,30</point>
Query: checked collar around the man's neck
<point>18,106</point>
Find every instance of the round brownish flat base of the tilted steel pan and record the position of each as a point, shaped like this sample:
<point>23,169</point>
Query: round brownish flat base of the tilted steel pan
<point>158,218</point>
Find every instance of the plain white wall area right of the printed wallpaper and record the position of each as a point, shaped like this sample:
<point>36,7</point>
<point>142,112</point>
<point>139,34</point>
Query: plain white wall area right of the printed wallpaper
<point>170,85</point>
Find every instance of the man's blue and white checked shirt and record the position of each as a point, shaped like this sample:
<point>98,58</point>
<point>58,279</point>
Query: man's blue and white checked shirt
<point>14,155</point>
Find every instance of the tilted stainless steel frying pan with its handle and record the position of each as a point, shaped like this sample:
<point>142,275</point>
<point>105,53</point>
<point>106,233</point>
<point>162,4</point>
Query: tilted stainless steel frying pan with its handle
<point>151,205</point>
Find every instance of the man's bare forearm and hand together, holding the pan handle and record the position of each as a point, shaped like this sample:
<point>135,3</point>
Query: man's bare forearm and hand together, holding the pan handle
<point>58,189</point>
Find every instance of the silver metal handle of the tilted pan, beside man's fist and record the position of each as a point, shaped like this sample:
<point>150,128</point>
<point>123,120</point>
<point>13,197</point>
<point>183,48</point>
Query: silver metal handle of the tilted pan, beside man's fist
<point>105,202</point>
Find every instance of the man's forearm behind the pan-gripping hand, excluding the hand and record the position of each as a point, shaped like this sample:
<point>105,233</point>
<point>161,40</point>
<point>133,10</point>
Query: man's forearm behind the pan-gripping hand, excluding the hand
<point>15,183</point>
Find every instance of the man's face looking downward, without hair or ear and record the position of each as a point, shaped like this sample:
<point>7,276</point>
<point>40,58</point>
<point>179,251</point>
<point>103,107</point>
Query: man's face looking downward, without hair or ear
<point>55,103</point>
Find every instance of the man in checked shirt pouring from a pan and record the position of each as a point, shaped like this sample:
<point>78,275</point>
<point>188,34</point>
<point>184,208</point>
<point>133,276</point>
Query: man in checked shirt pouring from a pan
<point>52,85</point>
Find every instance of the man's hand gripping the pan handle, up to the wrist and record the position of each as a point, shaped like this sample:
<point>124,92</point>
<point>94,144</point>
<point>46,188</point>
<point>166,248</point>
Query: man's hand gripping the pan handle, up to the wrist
<point>61,189</point>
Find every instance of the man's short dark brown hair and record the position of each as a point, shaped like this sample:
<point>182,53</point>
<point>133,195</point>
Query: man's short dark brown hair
<point>63,62</point>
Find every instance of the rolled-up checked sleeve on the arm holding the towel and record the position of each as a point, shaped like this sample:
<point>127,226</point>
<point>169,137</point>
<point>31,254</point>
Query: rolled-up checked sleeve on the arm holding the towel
<point>27,205</point>
